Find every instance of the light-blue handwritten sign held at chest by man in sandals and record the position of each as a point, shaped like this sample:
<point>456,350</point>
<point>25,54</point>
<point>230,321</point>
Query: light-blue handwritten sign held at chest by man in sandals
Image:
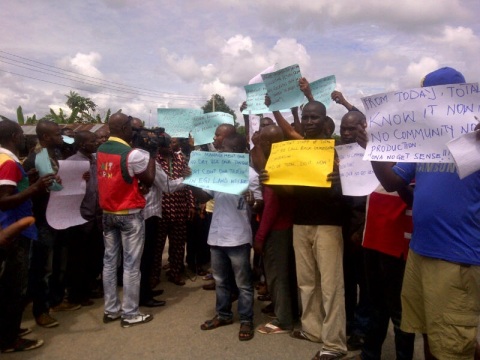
<point>224,172</point>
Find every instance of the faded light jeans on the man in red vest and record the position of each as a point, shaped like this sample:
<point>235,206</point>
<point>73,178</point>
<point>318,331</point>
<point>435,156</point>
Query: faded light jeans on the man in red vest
<point>125,231</point>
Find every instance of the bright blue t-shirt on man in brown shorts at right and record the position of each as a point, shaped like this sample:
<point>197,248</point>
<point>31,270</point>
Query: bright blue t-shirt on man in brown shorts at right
<point>446,212</point>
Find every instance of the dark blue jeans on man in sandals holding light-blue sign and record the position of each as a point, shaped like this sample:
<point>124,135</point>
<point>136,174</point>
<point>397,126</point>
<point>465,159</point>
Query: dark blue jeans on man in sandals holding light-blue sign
<point>236,258</point>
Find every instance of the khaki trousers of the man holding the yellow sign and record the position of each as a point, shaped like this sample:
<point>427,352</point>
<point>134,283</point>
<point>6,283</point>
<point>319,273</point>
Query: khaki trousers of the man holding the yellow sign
<point>319,262</point>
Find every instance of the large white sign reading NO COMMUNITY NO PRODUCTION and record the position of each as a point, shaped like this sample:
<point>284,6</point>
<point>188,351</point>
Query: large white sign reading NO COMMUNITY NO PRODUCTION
<point>415,125</point>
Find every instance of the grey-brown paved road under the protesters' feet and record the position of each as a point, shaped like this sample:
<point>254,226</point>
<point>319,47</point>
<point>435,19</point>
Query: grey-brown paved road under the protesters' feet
<point>174,333</point>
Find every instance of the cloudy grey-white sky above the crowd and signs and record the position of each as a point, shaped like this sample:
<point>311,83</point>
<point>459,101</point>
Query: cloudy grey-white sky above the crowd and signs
<point>141,55</point>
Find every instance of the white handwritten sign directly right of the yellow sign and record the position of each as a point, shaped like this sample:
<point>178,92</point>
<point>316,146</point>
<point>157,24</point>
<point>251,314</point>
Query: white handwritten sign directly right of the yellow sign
<point>356,175</point>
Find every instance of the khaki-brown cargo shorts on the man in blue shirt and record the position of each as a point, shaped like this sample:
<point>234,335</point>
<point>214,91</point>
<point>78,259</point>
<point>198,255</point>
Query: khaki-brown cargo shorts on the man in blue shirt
<point>442,299</point>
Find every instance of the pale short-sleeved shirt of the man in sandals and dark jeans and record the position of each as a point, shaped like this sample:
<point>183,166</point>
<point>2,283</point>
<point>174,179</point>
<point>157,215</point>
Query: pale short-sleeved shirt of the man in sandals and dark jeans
<point>231,216</point>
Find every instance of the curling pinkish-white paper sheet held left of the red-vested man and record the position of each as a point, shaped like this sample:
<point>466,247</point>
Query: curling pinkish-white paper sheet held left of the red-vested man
<point>63,210</point>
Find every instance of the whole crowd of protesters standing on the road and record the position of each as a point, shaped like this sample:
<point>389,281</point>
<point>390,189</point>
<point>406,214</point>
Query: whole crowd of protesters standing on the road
<point>337,268</point>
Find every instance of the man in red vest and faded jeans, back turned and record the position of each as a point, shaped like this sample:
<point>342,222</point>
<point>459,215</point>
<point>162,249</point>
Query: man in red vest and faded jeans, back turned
<point>121,173</point>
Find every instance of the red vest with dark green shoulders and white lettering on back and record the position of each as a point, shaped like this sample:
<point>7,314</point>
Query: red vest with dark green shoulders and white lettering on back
<point>117,190</point>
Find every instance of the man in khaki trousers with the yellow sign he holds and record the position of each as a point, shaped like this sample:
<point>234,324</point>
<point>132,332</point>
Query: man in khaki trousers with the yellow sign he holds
<point>317,232</point>
